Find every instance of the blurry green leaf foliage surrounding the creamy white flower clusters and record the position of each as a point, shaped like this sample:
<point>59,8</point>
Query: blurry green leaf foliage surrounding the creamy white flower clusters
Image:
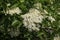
<point>15,21</point>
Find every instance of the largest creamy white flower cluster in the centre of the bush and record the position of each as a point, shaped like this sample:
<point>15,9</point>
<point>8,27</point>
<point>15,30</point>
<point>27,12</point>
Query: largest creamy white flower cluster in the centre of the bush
<point>32,17</point>
